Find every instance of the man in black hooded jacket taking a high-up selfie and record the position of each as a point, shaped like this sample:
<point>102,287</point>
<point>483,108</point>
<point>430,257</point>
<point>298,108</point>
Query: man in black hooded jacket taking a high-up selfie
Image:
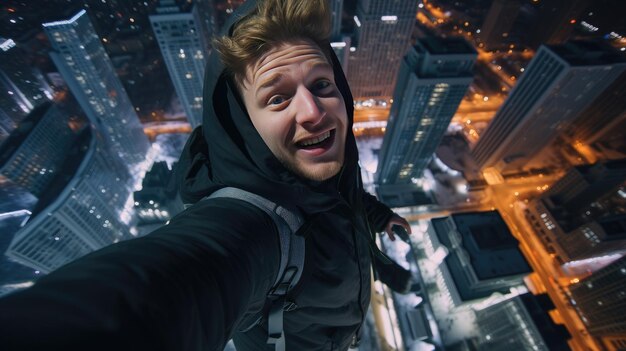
<point>277,123</point>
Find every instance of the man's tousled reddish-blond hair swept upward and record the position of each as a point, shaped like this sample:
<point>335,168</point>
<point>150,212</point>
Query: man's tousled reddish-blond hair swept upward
<point>270,23</point>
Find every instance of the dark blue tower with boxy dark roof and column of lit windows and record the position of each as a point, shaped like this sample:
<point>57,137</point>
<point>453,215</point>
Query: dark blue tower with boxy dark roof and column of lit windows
<point>433,78</point>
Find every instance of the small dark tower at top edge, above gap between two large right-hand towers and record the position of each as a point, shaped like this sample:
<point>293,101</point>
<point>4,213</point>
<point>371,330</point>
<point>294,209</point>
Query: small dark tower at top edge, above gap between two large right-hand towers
<point>494,32</point>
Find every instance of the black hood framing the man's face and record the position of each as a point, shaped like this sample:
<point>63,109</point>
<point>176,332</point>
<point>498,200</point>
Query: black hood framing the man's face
<point>226,150</point>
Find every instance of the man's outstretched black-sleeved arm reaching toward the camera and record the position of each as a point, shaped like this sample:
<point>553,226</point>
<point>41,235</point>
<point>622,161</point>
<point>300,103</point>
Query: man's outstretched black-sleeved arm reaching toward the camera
<point>184,287</point>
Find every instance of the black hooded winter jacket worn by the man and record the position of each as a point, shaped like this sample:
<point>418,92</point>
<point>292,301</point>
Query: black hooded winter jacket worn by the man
<point>192,284</point>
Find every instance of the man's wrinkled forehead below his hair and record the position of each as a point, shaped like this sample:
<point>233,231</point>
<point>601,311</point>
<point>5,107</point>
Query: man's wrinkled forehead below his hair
<point>286,55</point>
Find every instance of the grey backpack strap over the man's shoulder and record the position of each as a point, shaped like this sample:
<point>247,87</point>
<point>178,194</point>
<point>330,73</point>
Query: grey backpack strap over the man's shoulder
<point>288,222</point>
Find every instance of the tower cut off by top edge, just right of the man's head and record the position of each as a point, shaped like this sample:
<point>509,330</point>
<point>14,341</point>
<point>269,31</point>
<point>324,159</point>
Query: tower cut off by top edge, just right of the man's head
<point>383,33</point>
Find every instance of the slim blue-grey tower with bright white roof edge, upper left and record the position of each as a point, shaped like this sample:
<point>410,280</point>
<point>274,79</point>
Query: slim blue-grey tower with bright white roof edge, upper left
<point>88,71</point>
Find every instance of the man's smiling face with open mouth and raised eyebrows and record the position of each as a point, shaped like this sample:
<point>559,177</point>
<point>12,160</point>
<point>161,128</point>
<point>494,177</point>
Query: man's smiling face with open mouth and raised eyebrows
<point>294,104</point>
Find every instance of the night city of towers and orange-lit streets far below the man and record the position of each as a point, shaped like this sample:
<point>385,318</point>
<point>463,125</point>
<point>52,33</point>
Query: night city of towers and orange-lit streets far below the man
<point>488,135</point>
